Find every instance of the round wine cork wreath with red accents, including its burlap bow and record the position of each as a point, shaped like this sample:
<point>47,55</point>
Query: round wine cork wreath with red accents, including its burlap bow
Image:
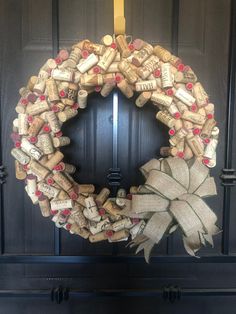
<point>171,196</point>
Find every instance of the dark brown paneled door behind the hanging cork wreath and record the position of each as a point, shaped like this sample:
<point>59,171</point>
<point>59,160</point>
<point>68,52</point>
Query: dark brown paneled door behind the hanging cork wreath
<point>201,33</point>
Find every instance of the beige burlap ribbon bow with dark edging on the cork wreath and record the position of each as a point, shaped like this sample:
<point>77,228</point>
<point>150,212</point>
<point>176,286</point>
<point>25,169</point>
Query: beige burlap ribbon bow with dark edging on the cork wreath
<point>172,197</point>
